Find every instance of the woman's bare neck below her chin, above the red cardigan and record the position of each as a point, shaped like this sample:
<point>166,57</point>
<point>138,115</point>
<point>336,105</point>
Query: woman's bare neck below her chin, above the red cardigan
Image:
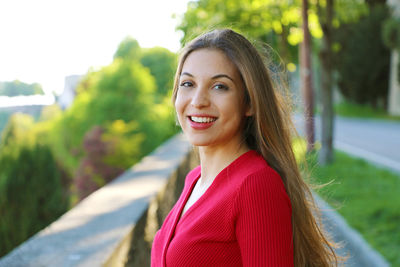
<point>213,160</point>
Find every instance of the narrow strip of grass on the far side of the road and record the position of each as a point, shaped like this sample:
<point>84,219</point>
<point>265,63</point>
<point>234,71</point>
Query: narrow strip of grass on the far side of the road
<point>347,109</point>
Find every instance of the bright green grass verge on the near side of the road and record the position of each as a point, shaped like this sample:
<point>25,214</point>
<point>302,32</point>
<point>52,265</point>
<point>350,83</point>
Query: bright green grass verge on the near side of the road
<point>366,196</point>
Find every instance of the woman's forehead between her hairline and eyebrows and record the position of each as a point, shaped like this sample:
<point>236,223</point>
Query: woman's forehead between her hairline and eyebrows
<point>208,62</point>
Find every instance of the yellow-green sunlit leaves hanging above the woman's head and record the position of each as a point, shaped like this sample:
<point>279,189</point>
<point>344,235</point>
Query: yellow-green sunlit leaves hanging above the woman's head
<point>275,22</point>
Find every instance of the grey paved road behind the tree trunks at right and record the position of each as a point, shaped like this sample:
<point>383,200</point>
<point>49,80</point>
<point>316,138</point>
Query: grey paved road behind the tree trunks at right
<point>377,141</point>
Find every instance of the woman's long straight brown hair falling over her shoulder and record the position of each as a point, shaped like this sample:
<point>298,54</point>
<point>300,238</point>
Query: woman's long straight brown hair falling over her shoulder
<point>269,132</point>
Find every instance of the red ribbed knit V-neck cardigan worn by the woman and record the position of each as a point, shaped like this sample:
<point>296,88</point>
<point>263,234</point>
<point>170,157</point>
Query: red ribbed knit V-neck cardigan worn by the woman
<point>243,219</point>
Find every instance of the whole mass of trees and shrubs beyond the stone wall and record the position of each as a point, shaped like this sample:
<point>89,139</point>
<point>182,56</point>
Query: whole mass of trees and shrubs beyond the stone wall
<point>121,113</point>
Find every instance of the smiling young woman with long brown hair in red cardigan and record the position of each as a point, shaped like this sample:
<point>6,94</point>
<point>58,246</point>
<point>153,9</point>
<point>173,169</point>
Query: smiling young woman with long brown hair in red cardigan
<point>246,204</point>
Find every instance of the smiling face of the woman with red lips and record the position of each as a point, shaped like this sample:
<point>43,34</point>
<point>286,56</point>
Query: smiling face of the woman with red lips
<point>210,100</point>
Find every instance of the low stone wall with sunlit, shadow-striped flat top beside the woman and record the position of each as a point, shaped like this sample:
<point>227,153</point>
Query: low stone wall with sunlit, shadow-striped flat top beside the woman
<point>115,225</point>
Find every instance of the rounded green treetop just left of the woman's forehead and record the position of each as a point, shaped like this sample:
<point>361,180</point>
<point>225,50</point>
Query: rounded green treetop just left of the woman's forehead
<point>162,65</point>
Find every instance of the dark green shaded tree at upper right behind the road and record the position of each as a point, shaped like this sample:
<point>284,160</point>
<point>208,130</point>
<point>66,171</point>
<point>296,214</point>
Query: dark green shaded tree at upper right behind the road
<point>362,61</point>
